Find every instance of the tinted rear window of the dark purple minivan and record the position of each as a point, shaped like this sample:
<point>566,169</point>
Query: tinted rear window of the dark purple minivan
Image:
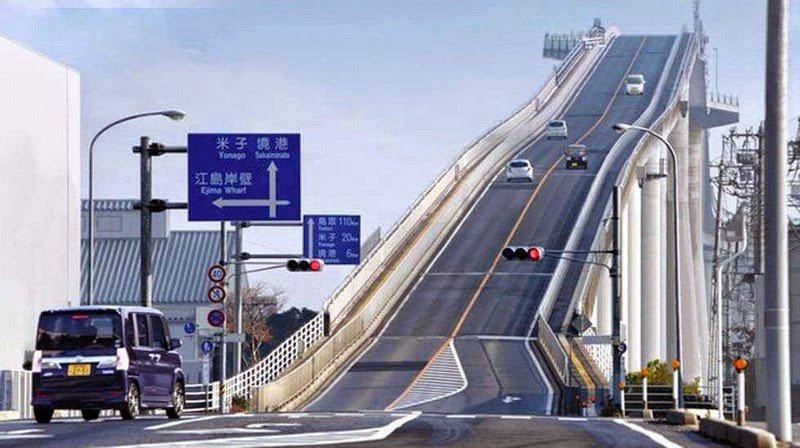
<point>73,330</point>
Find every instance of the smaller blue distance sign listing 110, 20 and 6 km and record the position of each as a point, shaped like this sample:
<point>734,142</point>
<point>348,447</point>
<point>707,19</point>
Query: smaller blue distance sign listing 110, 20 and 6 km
<point>335,239</point>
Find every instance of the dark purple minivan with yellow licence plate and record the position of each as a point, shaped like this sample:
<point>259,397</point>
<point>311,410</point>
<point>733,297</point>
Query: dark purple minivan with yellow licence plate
<point>94,357</point>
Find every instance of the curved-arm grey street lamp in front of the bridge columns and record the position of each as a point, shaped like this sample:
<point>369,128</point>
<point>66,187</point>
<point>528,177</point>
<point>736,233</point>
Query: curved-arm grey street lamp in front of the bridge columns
<point>622,128</point>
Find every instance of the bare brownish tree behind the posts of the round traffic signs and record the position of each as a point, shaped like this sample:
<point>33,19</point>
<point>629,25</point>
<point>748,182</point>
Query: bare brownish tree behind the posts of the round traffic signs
<point>259,302</point>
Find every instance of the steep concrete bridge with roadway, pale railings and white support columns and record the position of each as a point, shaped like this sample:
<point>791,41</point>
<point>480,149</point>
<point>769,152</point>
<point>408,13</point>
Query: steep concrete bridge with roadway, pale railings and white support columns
<point>436,320</point>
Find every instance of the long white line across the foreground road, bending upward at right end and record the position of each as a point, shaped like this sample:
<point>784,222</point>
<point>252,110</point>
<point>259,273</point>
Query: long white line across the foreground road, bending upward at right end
<point>306,439</point>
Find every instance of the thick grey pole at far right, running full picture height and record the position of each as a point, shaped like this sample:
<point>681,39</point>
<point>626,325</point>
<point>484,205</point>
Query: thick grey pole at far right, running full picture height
<point>776,297</point>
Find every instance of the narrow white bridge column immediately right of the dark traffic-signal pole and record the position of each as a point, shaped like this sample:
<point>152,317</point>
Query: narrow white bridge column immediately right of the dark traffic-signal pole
<point>632,278</point>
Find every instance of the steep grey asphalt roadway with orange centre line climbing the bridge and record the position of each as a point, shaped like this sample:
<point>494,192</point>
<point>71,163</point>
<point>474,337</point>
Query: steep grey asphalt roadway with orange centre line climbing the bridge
<point>483,302</point>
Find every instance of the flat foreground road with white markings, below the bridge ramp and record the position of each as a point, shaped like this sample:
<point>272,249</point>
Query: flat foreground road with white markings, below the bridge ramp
<point>340,429</point>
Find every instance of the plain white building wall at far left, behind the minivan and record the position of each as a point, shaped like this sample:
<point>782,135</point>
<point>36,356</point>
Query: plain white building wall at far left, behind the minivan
<point>40,194</point>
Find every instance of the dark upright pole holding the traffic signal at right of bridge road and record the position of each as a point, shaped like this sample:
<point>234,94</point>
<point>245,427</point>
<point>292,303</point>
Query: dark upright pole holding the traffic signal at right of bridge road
<point>615,295</point>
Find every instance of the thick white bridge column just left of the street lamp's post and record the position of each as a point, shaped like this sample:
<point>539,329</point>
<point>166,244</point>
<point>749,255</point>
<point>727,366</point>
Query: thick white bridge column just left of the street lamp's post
<point>652,319</point>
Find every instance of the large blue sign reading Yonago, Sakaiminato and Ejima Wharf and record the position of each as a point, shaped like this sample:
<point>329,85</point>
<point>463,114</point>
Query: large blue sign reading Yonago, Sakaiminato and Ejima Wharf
<point>244,177</point>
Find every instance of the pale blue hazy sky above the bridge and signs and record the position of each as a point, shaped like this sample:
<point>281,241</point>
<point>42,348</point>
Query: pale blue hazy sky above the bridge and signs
<point>384,93</point>
